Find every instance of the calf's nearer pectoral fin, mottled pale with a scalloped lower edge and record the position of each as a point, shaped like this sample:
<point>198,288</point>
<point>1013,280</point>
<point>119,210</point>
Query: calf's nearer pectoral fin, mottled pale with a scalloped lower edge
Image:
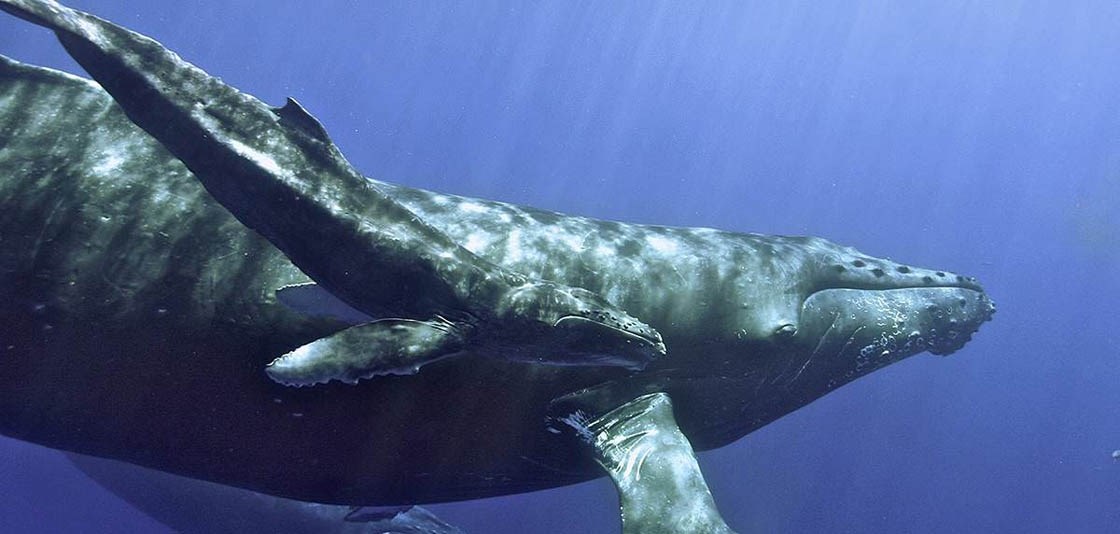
<point>382,348</point>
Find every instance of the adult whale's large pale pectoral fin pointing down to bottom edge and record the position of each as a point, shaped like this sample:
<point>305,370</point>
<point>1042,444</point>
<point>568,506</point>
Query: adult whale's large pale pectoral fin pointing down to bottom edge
<point>661,490</point>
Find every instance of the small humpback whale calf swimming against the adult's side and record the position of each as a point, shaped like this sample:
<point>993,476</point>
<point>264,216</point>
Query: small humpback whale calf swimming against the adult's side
<point>286,180</point>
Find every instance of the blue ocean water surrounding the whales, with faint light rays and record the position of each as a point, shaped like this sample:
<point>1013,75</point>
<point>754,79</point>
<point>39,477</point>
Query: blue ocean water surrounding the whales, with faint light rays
<point>978,137</point>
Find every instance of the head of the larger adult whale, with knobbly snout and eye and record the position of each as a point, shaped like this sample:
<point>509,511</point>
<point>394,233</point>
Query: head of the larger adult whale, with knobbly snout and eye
<point>832,304</point>
